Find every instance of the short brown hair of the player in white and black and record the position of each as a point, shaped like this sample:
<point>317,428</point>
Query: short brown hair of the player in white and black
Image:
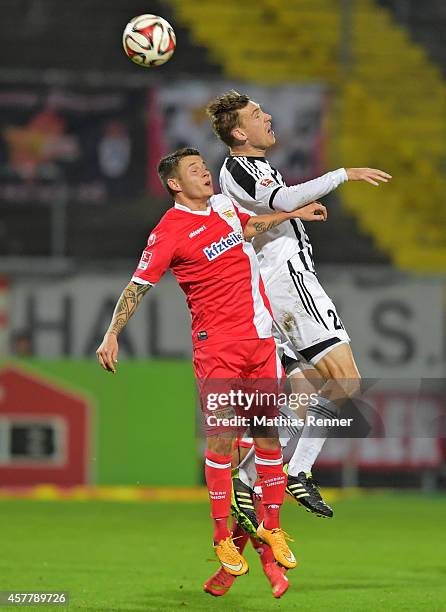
<point>223,112</point>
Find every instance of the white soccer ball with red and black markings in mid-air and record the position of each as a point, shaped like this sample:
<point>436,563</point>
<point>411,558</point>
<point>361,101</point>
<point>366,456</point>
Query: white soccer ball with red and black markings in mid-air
<point>149,40</point>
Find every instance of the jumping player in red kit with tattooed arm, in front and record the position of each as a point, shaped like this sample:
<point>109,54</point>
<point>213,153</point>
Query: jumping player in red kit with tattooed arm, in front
<point>203,239</point>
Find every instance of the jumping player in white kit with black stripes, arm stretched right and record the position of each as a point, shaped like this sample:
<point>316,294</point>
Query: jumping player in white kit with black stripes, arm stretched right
<point>312,336</point>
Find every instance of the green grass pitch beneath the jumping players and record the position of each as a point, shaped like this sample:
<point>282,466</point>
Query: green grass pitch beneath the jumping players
<point>380,552</point>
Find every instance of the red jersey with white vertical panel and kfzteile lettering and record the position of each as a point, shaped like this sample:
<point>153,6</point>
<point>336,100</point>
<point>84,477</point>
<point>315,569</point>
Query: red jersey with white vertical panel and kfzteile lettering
<point>215,267</point>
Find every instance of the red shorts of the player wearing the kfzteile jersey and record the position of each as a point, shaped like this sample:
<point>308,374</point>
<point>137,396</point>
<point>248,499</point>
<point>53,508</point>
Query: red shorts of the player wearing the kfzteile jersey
<point>237,380</point>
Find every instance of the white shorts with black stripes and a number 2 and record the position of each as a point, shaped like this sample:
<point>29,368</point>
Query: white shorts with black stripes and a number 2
<point>307,325</point>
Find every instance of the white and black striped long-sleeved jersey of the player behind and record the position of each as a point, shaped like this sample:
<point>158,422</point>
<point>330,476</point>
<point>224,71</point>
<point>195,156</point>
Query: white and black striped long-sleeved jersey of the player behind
<point>257,187</point>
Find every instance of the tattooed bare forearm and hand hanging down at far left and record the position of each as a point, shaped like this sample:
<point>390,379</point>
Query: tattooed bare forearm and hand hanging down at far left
<point>128,302</point>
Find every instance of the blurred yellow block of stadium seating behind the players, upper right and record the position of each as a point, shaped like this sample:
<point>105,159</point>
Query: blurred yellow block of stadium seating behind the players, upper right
<point>398,125</point>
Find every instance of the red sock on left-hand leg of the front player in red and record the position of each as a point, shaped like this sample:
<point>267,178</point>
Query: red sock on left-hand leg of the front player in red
<point>218,479</point>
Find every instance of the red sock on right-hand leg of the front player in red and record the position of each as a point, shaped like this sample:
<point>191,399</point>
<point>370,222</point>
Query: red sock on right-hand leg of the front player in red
<point>269,464</point>
